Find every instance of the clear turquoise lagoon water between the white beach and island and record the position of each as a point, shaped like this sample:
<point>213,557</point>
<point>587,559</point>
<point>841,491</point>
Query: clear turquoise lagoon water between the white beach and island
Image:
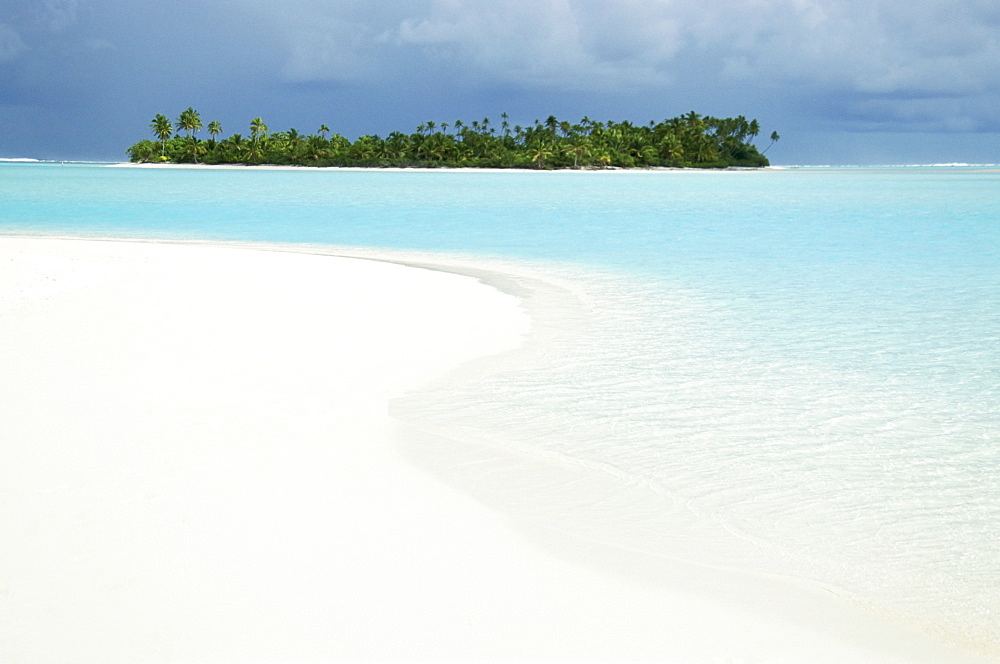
<point>793,372</point>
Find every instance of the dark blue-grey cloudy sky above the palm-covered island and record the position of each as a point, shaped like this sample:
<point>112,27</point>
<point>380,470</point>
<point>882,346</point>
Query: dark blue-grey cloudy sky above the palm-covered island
<point>842,81</point>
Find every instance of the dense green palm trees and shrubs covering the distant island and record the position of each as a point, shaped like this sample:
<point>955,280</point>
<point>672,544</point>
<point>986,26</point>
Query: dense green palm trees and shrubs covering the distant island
<point>690,140</point>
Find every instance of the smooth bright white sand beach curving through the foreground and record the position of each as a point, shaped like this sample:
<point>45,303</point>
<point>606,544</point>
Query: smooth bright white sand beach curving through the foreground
<point>197,464</point>
